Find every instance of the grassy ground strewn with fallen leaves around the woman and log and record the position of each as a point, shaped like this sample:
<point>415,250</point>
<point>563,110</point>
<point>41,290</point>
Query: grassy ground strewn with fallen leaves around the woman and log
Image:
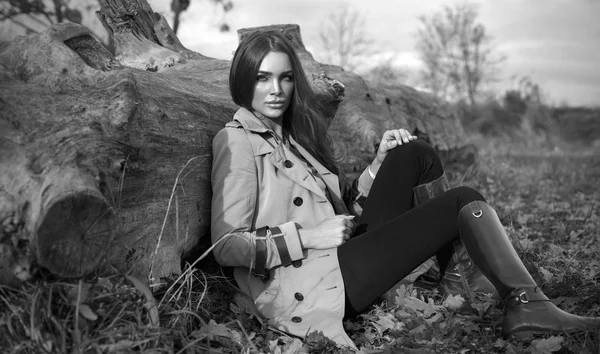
<point>548,199</point>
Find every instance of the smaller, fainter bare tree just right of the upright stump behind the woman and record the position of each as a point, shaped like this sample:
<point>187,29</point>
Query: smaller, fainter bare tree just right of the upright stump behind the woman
<point>344,38</point>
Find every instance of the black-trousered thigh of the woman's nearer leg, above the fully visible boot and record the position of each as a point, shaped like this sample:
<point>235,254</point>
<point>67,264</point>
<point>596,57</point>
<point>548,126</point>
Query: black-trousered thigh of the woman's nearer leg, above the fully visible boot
<point>376,260</point>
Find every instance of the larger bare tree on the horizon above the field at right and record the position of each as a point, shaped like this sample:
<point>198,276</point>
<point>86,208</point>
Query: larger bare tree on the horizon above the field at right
<point>457,52</point>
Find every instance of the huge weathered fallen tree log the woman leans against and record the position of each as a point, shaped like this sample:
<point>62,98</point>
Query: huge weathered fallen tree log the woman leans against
<point>105,160</point>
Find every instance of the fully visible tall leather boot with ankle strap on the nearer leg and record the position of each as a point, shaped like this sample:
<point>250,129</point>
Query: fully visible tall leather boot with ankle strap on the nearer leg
<point>526,309</point>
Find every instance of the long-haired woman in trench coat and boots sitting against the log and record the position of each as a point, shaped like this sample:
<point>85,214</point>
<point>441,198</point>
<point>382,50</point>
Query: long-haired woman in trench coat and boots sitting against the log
<point>279,218</point>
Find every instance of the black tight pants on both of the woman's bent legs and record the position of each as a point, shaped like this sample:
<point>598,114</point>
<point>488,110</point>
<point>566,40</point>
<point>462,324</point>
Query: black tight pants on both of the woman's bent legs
<point>393,236</point>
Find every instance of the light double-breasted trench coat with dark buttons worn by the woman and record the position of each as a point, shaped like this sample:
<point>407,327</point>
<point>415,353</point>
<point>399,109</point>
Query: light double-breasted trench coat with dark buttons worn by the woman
<point>259,183</point>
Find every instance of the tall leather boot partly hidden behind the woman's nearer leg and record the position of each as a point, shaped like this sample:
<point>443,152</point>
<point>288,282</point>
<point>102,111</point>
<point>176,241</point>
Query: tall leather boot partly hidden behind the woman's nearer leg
<point>461,275</point>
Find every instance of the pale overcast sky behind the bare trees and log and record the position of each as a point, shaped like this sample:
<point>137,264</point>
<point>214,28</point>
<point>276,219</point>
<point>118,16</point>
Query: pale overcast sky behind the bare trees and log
<point>555,42</point>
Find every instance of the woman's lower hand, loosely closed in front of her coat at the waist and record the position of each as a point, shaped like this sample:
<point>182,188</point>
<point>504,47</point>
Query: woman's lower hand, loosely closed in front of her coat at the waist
<point>330,233</point>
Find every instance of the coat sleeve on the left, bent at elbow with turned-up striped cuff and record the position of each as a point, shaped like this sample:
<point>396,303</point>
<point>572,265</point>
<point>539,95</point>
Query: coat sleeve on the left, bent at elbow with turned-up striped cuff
<point>234,204</point>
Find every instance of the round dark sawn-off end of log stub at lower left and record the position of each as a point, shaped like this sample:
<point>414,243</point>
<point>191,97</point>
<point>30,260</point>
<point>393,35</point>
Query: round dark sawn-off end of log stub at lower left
<point>75,234</point>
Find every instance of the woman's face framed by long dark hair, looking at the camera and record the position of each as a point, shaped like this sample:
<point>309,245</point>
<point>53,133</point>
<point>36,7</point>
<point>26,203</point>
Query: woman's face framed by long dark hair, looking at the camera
<point>274,86</point>
